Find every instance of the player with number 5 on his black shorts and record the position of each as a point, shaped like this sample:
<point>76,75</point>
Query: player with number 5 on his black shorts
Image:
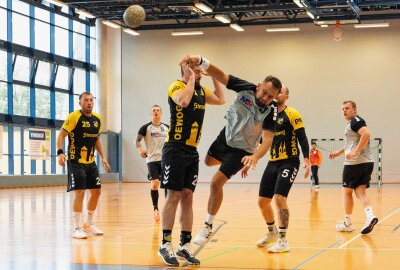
<point>281,171</point>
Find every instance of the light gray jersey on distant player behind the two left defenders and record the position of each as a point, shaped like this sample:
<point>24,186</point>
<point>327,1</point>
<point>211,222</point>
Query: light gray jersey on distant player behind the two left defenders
<point>154,138</point>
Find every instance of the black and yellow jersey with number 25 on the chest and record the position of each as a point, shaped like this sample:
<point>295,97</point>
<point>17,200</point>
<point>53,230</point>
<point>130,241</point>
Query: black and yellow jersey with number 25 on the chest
<point>82,136</point>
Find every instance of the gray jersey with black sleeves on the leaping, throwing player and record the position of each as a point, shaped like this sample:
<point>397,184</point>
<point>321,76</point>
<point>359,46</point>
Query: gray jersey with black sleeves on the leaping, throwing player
<point>246,119</point>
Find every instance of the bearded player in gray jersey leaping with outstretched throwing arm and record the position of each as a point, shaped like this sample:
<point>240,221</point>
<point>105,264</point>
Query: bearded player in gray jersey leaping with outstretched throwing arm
<point>250,118</point>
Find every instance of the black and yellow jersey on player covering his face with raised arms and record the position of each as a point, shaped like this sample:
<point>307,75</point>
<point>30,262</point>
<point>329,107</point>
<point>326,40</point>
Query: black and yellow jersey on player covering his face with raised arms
<point>186,123</point>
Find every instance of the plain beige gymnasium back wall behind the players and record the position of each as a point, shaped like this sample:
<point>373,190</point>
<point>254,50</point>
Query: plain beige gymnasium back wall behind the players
<point>319,72</point>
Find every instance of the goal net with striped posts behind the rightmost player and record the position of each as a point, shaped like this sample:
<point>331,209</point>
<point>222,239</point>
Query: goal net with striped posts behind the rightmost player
<point>331,170</point>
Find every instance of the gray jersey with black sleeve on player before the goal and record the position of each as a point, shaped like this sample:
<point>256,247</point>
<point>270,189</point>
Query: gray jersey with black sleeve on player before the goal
<point>352,139</point>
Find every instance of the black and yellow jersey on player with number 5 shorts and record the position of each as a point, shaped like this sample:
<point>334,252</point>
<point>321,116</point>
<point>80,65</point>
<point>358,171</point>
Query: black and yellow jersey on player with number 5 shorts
<point>285,144</point>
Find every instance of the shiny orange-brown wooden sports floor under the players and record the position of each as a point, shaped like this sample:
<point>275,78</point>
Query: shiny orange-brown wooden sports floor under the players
<point>35,231</point>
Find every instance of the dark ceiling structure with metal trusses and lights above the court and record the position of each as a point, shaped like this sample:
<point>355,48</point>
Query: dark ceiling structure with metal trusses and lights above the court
<point>178,14</point>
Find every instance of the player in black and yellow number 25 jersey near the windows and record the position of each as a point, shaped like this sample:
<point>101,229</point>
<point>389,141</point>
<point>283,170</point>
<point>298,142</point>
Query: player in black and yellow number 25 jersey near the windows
<point>83,128</point>
